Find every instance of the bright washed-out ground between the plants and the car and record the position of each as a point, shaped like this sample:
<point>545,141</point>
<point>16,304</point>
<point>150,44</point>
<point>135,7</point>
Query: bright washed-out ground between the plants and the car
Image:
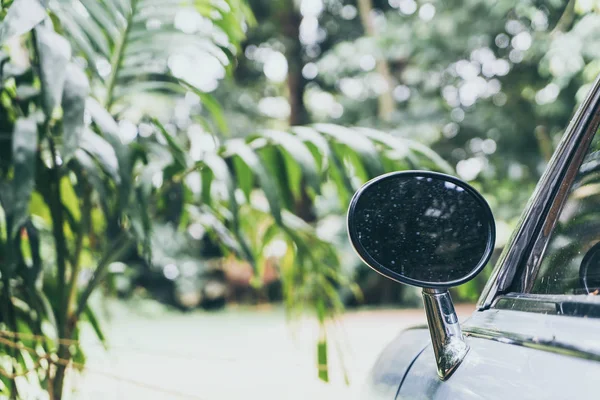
<point>250,353</point>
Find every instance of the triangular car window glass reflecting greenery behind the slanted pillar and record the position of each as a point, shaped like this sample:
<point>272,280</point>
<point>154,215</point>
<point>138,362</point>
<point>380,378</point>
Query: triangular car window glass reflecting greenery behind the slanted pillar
<point>571,264</point>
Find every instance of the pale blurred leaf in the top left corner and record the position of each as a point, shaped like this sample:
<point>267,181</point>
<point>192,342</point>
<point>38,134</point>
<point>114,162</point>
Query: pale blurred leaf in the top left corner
<point>22,16</point>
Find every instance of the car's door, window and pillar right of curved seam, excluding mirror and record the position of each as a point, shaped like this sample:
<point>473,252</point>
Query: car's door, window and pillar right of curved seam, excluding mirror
<point>536,332</point>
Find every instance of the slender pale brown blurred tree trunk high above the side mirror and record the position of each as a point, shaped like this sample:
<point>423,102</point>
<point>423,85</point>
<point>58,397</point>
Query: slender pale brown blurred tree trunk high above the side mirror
<point>385,100</point>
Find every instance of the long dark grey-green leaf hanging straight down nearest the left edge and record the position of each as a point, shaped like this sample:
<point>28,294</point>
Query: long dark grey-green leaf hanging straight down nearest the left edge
<point>25,142</point>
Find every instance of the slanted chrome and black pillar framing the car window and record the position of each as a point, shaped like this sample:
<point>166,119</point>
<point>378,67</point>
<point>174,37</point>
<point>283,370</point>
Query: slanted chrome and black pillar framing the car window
<point>519,263</point>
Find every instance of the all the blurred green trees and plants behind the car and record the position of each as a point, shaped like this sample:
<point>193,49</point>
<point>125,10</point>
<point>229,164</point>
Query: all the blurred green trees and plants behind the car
<point>201,153</point>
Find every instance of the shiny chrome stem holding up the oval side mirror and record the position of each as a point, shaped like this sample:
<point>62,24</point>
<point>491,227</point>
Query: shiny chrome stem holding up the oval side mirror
<point>449,345</point>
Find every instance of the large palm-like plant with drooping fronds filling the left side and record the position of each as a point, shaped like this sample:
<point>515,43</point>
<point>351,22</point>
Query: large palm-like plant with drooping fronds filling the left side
<point>86,166</point>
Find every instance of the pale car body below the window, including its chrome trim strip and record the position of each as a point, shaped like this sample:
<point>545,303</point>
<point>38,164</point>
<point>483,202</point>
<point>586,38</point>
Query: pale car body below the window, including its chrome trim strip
<point>514,355</point>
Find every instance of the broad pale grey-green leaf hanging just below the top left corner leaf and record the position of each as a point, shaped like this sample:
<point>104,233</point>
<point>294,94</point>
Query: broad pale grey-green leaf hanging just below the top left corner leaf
<point>54,54</point>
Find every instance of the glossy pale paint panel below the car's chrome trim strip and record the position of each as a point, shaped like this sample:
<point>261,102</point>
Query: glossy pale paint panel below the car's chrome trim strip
<point>495,370</point>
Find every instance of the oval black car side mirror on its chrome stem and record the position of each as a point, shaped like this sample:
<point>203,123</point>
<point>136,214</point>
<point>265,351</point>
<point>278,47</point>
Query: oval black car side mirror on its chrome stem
<point>428,230</point>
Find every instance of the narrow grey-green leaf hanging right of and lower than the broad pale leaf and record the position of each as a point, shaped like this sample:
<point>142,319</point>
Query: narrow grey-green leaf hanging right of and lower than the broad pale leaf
<point>73,103</point>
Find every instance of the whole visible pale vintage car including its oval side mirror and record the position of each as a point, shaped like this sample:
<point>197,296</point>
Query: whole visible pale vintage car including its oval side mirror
<point>535,333</point>
